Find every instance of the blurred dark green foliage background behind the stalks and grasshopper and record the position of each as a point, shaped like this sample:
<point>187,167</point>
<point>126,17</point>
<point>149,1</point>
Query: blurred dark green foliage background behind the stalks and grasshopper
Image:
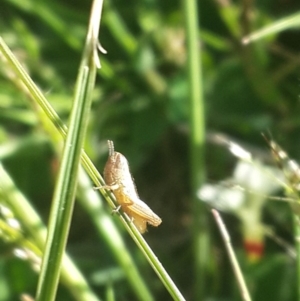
<point>140,103</point>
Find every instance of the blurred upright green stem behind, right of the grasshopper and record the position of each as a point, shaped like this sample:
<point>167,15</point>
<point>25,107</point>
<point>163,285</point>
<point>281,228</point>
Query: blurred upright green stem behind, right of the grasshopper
<point>197,141</point>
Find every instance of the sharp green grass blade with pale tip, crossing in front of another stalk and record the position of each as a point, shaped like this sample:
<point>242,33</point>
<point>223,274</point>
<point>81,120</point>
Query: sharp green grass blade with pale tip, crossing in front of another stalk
<point>65,190</point>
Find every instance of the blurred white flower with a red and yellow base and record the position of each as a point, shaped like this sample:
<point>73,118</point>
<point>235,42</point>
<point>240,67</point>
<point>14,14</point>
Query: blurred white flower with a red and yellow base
<point>255,182</point>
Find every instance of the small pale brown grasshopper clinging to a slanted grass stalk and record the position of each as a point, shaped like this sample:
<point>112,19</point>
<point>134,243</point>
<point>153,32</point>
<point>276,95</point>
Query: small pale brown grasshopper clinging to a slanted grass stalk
<point>118,179</point>
